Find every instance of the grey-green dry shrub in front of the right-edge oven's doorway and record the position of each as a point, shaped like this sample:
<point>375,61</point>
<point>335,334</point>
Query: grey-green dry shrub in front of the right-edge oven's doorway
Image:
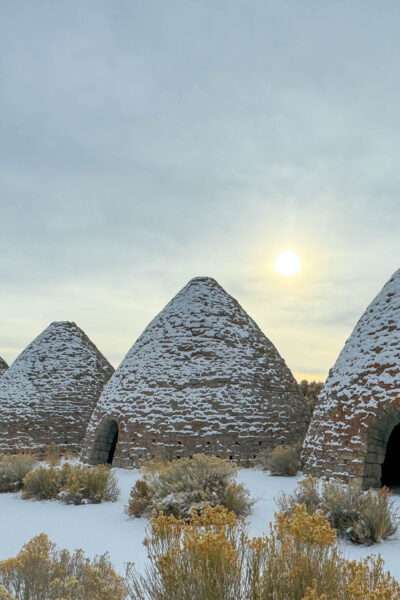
<point>363,517</point>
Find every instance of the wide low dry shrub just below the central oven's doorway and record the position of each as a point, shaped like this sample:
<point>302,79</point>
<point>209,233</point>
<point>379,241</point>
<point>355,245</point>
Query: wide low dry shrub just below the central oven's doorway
<point>73,484</point>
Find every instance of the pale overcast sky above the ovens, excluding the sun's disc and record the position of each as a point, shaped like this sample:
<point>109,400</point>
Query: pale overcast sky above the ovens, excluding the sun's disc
<point>146,142</point>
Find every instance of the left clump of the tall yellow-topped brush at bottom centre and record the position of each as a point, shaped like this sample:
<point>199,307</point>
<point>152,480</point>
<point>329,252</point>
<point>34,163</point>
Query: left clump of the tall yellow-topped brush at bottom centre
<point>201,559</point>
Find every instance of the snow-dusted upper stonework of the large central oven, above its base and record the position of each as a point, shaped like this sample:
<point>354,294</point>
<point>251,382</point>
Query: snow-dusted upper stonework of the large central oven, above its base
<point>204,359</point>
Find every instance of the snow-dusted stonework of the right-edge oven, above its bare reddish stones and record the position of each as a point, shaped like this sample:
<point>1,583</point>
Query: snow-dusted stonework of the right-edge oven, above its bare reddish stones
<point>366,375</point>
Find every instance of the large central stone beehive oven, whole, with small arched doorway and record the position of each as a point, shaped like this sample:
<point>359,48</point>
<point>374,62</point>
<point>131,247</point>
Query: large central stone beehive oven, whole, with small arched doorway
<point>201,378</point>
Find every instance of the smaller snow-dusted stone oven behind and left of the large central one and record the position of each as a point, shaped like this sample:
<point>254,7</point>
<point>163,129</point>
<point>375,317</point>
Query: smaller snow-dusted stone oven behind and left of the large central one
<point>49,392</point>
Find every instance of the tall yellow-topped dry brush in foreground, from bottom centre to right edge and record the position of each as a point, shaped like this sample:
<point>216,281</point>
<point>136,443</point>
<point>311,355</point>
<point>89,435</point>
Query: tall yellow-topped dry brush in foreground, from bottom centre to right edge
<point>211,558</point>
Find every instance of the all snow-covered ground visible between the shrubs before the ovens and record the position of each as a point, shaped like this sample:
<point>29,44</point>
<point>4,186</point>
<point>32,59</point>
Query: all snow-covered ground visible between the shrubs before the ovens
<point>107,528</point>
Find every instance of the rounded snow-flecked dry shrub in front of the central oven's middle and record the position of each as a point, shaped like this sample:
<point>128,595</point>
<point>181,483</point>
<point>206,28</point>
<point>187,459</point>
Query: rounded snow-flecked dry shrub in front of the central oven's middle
<point>190,484</point>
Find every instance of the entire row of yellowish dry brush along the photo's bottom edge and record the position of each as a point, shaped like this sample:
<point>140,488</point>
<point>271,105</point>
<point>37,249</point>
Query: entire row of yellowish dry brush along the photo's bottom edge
<point>209,557</point>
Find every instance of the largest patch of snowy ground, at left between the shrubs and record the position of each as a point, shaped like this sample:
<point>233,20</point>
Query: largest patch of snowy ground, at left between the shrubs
<point>96,528</point>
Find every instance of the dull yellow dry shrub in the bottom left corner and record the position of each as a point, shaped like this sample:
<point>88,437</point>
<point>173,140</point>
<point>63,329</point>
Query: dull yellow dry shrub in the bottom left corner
<point>41,572</point>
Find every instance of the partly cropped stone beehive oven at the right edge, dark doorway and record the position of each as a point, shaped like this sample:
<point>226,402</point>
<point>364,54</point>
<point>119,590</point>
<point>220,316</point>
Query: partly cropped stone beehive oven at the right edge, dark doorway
<point>354,432</point>
